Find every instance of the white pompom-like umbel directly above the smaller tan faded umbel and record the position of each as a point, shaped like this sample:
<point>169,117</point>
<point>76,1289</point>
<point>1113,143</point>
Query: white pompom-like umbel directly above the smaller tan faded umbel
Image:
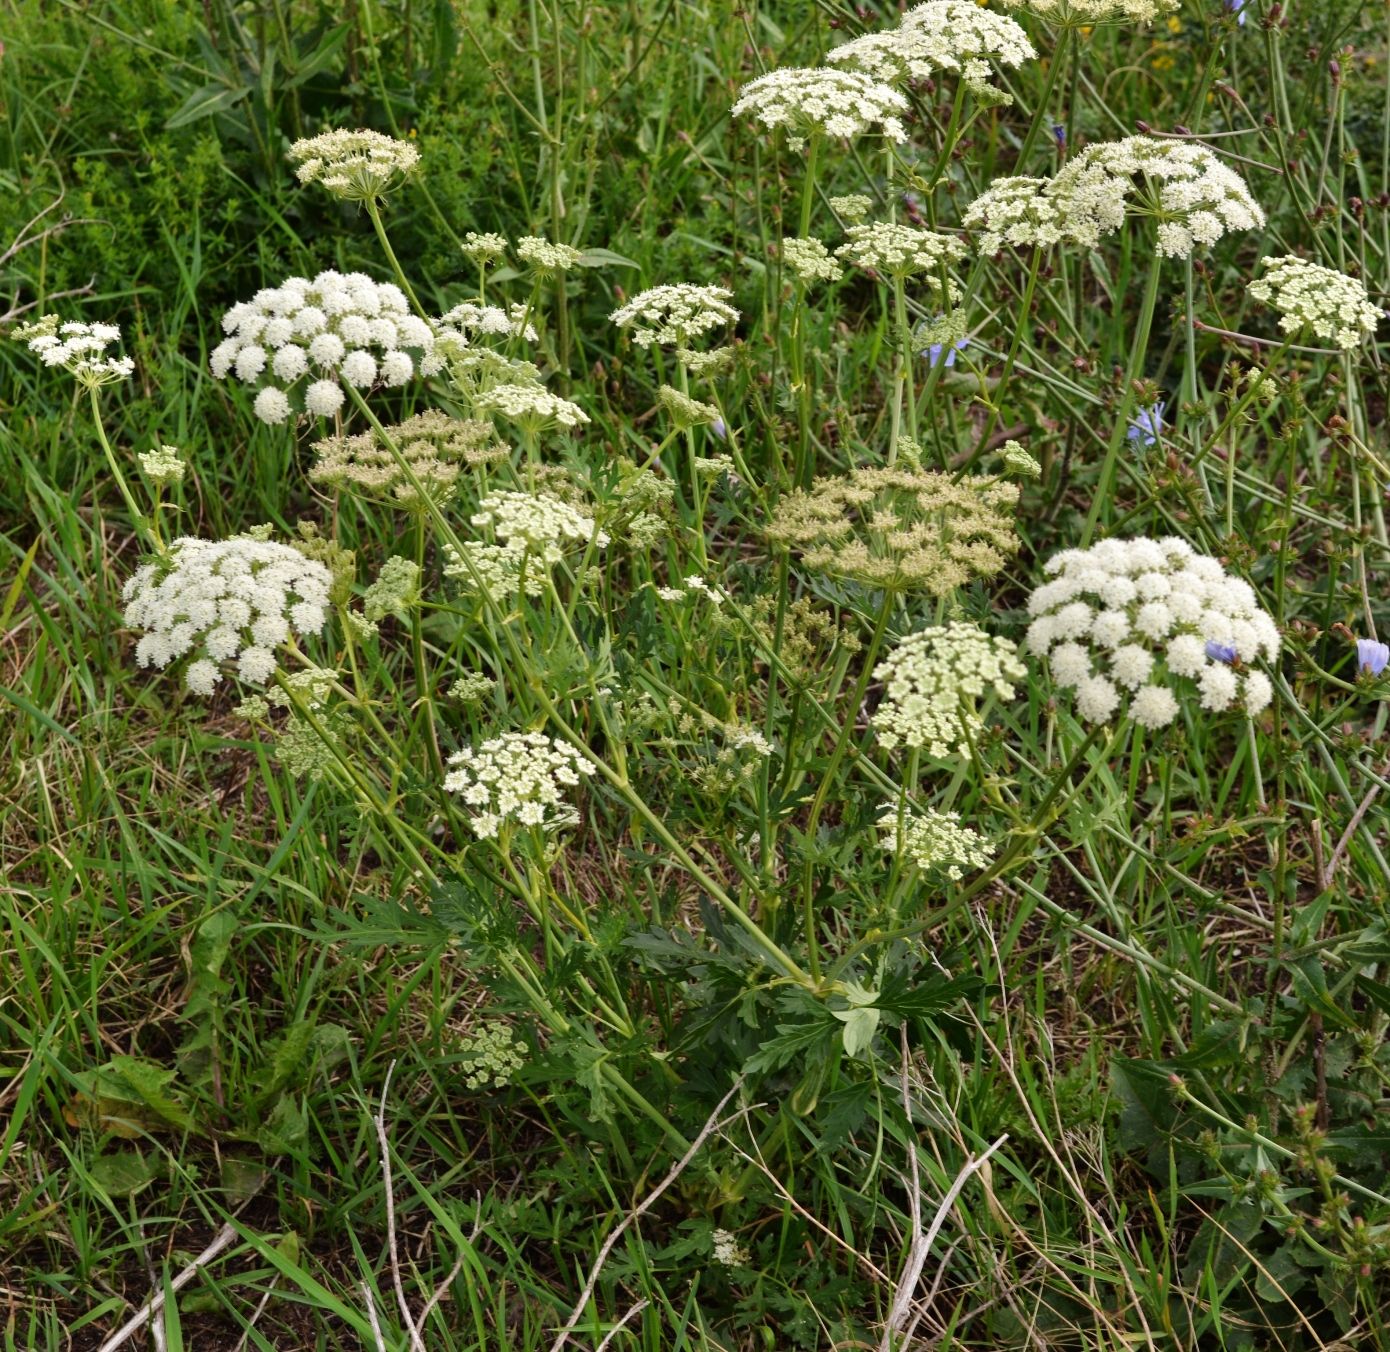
<point>338,327</point>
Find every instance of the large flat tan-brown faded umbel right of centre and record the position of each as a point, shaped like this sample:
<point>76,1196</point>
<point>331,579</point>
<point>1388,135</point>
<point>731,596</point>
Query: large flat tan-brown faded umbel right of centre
<point>901,530</point>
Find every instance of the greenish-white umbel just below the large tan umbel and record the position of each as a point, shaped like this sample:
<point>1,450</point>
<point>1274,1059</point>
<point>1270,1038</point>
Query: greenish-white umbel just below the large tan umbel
<point>933,683</point>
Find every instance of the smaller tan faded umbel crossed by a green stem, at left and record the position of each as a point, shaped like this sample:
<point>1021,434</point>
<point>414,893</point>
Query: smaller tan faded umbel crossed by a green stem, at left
<point>434,445</point>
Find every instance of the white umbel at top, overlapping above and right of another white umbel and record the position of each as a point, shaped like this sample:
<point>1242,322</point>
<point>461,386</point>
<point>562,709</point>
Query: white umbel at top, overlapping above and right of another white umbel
<point>940,35</point>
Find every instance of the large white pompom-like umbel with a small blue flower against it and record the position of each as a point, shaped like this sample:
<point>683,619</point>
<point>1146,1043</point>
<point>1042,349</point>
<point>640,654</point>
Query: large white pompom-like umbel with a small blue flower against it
<point>1143,618</point>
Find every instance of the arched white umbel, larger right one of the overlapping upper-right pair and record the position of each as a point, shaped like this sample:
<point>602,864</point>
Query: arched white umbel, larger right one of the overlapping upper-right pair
<point>1184,186</point>
